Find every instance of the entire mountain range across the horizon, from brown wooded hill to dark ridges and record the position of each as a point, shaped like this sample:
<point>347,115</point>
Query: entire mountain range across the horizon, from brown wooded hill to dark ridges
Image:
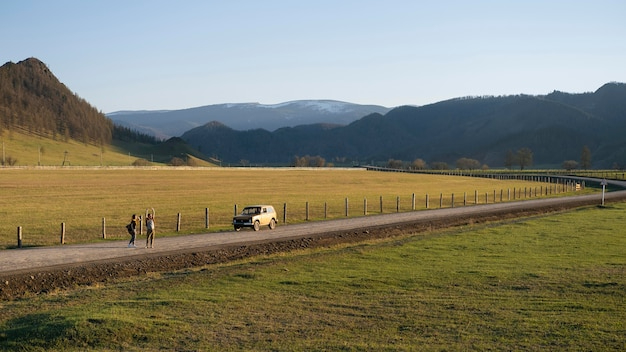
<point>556,127</point>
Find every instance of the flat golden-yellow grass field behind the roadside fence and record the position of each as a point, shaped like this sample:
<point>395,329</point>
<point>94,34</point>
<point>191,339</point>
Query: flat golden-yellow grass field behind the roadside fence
<point>39,199</point>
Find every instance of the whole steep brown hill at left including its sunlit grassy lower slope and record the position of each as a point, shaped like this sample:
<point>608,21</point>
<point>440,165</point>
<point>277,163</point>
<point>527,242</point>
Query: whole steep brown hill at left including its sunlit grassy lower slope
<point>43,123</point>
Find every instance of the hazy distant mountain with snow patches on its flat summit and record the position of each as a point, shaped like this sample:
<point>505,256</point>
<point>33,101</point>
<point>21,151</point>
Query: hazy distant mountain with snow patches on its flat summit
<point>245,116</point>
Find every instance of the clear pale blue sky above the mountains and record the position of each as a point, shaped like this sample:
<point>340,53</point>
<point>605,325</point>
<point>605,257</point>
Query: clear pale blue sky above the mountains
<point>152,54</point>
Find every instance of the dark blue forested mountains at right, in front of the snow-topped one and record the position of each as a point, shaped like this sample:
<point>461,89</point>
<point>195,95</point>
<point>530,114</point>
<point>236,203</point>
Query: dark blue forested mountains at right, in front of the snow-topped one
<point>555,127</point>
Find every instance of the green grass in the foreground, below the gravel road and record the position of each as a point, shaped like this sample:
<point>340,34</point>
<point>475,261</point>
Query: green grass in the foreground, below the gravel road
<point>548,283</point>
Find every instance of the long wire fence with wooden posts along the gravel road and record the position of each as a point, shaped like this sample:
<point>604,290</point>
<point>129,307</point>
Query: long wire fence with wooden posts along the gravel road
<point>205,220</point>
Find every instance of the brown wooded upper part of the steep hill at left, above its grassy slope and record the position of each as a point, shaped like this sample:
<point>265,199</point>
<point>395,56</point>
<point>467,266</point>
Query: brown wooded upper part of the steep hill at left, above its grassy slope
<point>33,99</point>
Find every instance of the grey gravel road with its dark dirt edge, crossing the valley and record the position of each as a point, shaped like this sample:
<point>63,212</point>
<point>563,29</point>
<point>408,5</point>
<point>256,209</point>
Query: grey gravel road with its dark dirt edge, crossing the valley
<point>38,270</point>
